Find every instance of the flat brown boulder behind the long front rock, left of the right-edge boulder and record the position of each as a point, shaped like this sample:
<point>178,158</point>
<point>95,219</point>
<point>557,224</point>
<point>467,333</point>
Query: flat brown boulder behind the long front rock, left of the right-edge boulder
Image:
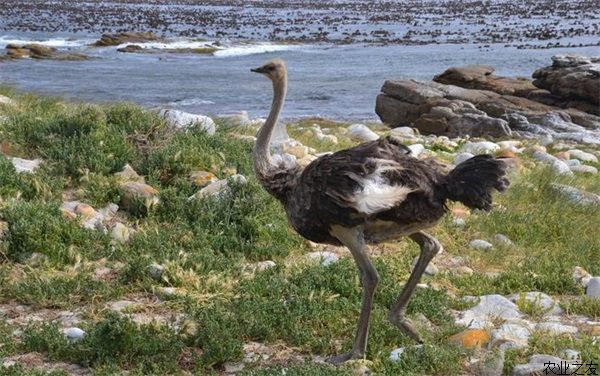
<point>481,77</point>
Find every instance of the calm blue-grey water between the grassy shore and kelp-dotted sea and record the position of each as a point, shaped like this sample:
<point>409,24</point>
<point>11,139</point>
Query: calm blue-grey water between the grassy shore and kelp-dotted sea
<point>331,81</point>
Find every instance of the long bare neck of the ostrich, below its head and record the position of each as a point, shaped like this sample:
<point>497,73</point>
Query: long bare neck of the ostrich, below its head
<point>262,154</point>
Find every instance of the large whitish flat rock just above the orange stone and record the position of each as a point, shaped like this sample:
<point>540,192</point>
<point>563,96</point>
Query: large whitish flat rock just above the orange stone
<point>489,308</point>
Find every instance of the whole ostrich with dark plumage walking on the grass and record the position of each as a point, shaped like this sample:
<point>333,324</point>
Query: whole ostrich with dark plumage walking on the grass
<point>367,194</point>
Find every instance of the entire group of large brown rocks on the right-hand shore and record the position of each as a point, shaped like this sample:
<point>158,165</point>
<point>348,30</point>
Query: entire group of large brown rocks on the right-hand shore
<point>561,103</point>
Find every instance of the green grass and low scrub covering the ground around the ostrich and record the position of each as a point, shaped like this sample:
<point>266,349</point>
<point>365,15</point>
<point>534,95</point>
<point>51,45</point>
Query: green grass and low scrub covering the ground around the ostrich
<point>204,246</point>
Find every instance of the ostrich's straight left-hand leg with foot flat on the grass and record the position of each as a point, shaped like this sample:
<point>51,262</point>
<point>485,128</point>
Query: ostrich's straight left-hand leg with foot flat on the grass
<point>353,239</point>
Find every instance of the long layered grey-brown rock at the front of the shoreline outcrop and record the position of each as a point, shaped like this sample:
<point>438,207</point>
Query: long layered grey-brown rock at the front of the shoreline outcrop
<point>450,110</point>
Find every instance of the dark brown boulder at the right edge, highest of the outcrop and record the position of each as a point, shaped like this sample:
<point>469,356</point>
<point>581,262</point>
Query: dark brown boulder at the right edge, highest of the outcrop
<point>574,79</point>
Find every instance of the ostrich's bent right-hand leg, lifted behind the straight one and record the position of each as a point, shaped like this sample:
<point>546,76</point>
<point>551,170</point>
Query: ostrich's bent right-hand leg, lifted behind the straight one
<point>429,248</point>
